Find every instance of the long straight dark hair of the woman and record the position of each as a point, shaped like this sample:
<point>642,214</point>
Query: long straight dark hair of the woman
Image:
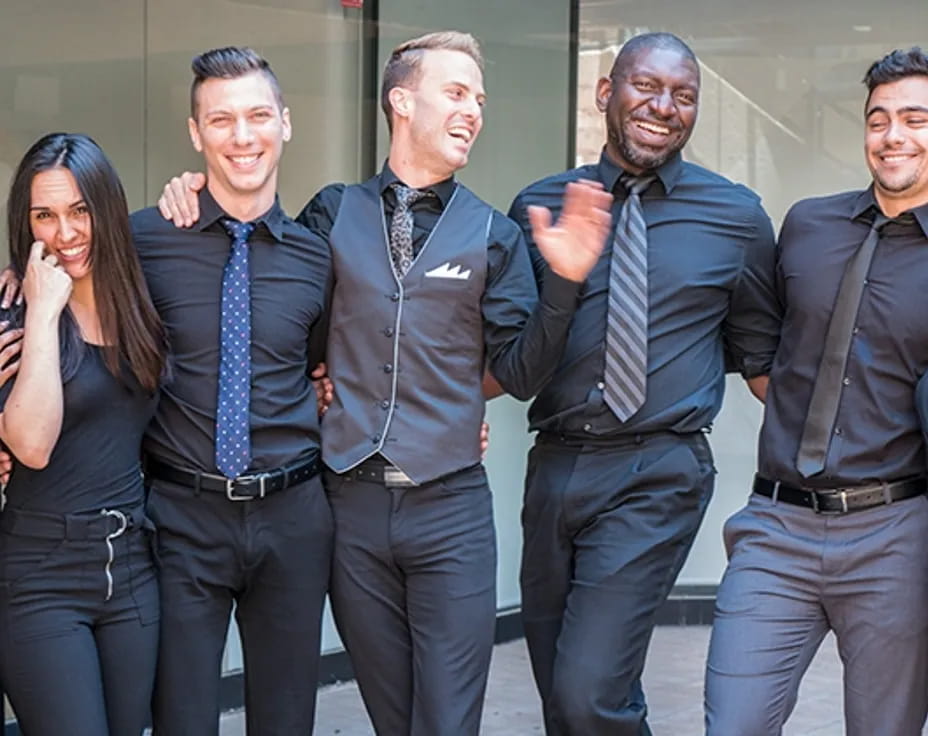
<point>132,331</point>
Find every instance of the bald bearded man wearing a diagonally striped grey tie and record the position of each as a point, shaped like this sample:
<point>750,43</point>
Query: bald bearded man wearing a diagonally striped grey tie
<point>621,472</point>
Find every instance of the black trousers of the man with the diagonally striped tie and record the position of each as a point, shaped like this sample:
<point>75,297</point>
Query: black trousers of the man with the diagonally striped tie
<point>606,531</point>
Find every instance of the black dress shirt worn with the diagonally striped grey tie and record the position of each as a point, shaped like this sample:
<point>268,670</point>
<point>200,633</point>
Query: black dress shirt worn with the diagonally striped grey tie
<point>711,301</point>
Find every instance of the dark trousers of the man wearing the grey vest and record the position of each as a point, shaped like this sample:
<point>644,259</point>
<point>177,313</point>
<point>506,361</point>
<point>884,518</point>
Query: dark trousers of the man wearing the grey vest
<point>414,598</point>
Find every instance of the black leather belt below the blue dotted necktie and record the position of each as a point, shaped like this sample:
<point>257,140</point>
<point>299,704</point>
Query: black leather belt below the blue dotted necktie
<point>244,488</point>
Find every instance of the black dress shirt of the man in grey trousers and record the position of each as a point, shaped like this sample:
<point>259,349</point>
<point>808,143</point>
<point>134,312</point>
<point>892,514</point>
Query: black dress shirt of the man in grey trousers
<point>877,435</point>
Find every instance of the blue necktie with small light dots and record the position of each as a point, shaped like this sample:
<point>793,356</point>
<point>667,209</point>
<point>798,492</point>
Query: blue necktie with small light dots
<point>233,429</point>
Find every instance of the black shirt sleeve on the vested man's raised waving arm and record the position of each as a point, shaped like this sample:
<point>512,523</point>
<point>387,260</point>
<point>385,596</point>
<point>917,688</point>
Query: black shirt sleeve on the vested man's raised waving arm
<point>524,334</point>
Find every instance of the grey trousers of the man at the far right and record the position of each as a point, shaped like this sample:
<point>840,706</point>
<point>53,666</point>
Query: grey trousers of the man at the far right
<point>794,575</point>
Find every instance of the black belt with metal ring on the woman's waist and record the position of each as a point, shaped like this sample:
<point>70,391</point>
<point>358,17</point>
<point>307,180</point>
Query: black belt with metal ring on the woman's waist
<point>87,525</point>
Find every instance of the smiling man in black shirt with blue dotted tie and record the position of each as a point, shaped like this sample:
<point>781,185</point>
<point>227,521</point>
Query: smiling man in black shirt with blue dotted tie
<point>257,533</point>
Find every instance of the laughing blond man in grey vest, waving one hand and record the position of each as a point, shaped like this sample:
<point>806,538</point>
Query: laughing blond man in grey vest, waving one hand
<point>430,285</point>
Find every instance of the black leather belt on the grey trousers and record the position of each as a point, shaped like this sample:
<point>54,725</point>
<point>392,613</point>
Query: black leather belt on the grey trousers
<point>840,500</point>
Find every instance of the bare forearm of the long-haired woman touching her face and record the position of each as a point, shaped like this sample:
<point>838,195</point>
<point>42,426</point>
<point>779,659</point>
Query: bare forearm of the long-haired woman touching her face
<point>31,420</point>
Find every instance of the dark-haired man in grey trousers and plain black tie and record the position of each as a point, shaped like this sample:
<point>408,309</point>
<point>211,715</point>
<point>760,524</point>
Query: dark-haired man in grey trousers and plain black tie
<point>835,535</point>
